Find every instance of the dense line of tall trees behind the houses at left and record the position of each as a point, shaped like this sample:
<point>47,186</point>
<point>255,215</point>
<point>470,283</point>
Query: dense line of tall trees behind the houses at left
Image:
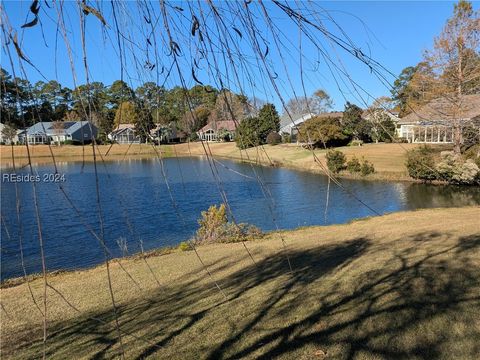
<point>23,104</point>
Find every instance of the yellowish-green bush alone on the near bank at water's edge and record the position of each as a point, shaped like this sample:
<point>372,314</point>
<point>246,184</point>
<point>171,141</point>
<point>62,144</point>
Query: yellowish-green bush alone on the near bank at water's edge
<point>215,228</point>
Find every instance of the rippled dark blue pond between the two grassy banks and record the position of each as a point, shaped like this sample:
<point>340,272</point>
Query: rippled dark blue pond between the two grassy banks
<point>139,209</point>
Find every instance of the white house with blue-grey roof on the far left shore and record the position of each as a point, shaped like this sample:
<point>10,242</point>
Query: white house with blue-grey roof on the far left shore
<point>45,132</point>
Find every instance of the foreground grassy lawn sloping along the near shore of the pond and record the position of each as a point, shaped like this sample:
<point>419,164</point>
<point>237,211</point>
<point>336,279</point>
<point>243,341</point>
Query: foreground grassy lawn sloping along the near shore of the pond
<point>404,285</point>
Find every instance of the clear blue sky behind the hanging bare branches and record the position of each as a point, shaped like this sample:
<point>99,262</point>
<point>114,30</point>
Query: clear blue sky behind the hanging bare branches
<point>394,33</point>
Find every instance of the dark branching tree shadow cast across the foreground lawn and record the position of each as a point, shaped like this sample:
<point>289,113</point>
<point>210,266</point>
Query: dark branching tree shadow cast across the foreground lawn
<point>349,299</point>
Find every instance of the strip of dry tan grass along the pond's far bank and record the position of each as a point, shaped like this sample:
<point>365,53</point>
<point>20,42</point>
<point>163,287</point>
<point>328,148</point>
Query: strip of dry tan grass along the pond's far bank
<point>388,159</point>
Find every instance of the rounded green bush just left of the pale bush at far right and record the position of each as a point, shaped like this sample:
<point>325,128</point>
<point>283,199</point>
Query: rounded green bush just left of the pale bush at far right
<point>420,164</point>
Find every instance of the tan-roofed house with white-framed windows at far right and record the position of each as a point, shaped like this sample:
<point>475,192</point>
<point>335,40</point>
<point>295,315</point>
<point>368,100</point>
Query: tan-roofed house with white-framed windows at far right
<point>433,122</point>
